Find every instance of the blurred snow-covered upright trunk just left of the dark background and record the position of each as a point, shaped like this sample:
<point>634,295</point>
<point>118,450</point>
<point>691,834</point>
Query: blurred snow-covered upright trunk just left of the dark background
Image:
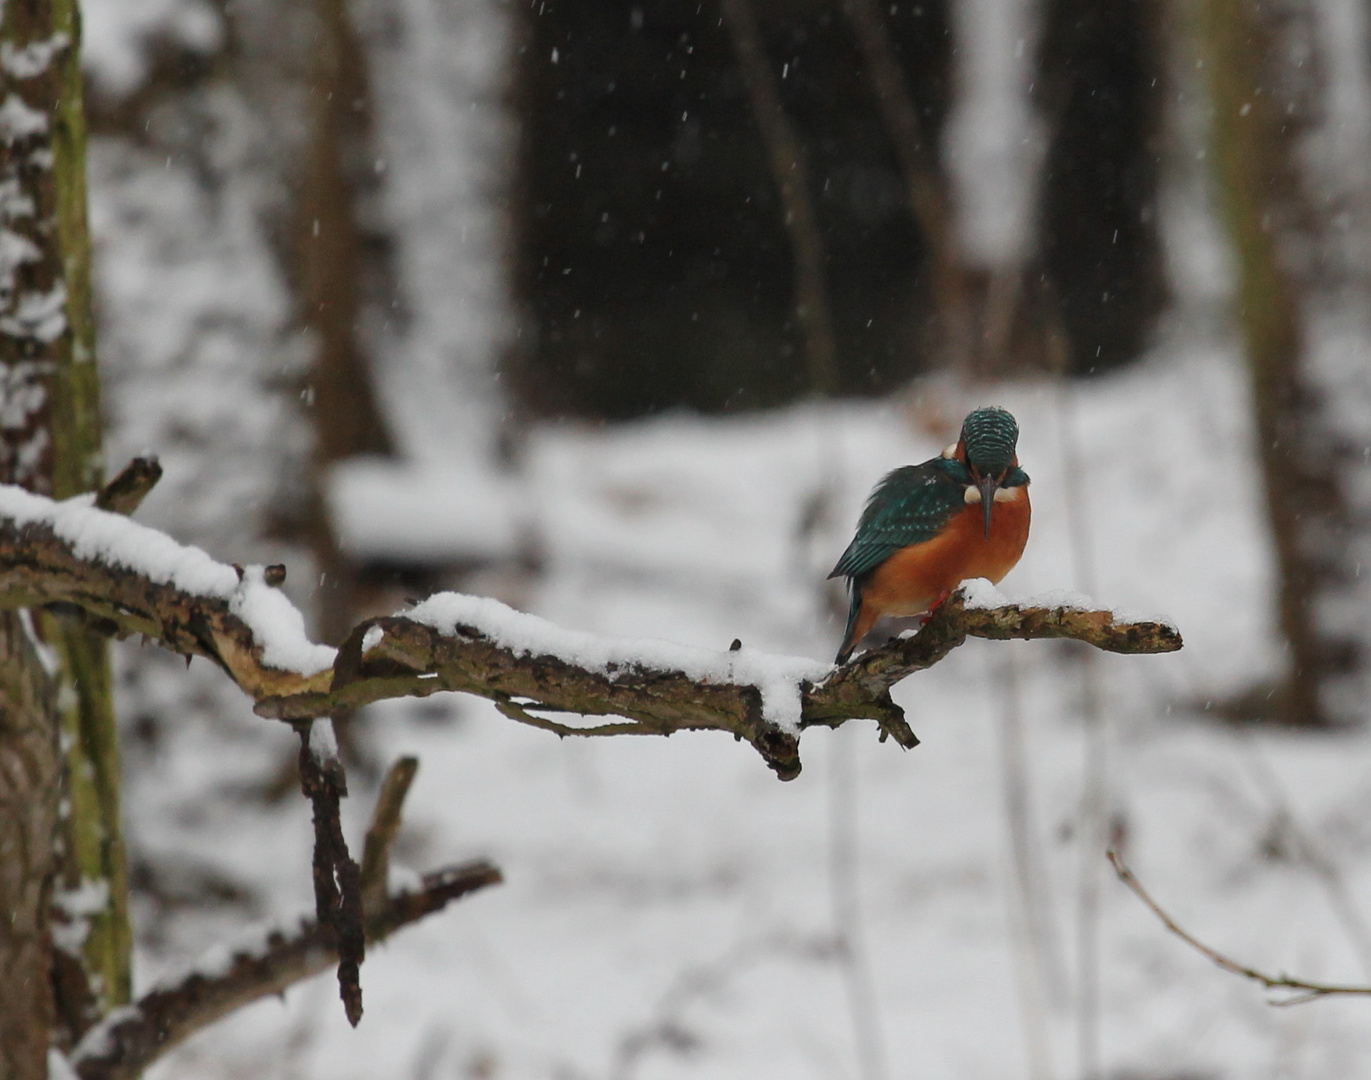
<point>446,147</point>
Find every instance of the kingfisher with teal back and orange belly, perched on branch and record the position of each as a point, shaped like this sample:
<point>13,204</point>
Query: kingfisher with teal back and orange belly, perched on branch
<point>930,527</point>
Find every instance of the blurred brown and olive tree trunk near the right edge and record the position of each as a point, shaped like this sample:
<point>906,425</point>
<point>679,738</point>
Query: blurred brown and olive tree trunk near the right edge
<point>1263,80</point>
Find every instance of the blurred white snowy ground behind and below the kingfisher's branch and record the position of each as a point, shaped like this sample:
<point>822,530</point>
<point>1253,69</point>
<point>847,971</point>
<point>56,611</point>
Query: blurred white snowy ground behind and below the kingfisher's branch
<point>670,907</point>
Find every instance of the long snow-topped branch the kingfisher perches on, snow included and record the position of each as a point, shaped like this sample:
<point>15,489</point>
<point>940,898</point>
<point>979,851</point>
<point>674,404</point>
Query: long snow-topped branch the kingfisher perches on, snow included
<point>130,579</point>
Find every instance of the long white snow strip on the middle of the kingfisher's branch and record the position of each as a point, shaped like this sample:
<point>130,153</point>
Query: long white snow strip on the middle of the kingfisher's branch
<point>778,679</point>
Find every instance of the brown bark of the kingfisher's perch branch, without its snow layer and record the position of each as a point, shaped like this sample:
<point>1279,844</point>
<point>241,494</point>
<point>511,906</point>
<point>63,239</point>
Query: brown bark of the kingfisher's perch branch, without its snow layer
<point>400,657</point>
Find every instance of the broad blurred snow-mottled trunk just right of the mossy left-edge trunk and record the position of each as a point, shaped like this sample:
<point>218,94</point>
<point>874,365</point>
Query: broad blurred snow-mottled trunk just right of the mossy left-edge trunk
<point>201,350</point>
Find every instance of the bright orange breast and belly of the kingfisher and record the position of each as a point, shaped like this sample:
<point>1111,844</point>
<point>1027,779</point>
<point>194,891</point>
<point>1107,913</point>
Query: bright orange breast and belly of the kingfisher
<point>915,579</point>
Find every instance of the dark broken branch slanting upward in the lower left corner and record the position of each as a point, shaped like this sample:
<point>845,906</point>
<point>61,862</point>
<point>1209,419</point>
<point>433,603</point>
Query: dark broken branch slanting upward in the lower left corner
<point>131,1040</point>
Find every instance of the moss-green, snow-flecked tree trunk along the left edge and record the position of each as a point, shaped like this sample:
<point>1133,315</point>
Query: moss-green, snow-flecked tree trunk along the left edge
<point>50,442</point>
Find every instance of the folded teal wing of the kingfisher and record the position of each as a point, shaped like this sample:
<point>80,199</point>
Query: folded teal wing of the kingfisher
<point>910,506</point>
